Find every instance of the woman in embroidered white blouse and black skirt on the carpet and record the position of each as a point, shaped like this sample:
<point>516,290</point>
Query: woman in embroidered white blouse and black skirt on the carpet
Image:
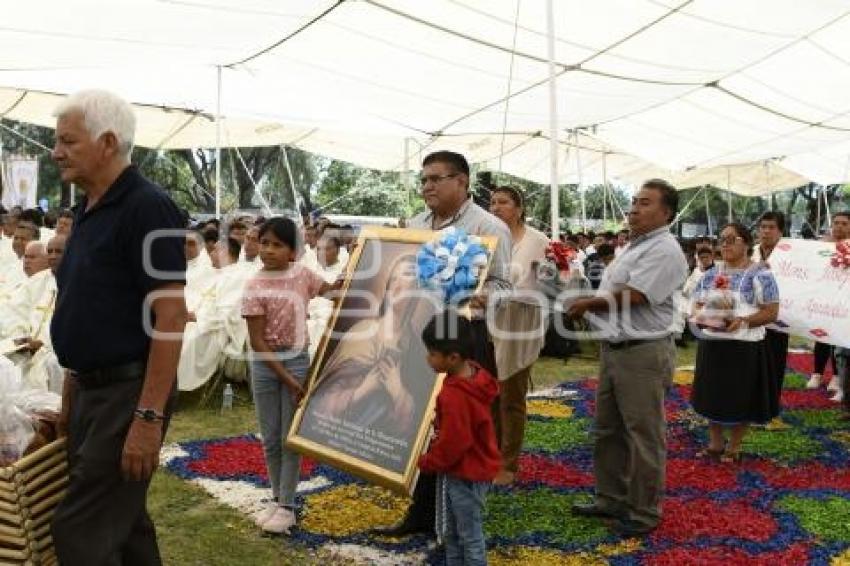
<point>732,384</point>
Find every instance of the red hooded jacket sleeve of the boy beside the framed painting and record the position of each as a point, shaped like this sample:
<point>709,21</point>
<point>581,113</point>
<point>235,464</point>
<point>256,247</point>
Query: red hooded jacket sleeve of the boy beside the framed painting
<point>454,437</point>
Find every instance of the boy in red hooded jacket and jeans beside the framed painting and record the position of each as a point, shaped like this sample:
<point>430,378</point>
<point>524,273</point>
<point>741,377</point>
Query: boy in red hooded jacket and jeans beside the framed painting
<point>465,453</point>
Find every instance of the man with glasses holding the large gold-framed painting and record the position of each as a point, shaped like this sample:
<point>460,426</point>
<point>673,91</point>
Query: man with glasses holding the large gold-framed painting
<point>445,189</point>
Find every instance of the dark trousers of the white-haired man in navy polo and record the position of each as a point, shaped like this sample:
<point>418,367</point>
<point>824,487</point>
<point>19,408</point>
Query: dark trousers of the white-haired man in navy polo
<point>103,519</point>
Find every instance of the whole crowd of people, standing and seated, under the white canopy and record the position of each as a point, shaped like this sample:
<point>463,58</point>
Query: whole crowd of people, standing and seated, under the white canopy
<point>75,297</point>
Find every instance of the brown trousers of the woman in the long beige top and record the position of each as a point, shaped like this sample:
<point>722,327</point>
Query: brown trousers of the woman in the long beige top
<point>509,414</point>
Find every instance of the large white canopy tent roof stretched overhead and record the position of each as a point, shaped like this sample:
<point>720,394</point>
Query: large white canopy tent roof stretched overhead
<point>748,95</point>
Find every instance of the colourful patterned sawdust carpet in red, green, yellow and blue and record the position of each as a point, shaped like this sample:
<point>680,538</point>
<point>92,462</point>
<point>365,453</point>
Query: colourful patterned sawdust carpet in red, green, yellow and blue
<point>787,503</point>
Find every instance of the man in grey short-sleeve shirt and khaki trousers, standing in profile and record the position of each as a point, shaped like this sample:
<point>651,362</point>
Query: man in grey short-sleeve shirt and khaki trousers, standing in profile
<point>635,312</point>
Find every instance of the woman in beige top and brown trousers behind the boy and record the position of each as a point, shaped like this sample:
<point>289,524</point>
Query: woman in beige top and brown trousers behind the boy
<point>520,330</point>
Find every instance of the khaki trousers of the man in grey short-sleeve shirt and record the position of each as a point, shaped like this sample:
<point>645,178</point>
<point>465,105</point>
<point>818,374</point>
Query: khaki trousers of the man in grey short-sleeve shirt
<point>630,451</point>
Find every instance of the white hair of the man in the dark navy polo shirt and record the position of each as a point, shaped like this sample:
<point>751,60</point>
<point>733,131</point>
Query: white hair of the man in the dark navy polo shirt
<point>103,112</point>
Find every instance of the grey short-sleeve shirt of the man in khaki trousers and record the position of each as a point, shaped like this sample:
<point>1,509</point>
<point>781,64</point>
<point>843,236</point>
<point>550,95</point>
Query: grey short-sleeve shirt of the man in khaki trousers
<point>654,265</point>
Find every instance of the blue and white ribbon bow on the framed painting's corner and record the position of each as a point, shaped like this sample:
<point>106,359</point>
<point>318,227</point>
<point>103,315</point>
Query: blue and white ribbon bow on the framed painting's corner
<point>452,263</point>
